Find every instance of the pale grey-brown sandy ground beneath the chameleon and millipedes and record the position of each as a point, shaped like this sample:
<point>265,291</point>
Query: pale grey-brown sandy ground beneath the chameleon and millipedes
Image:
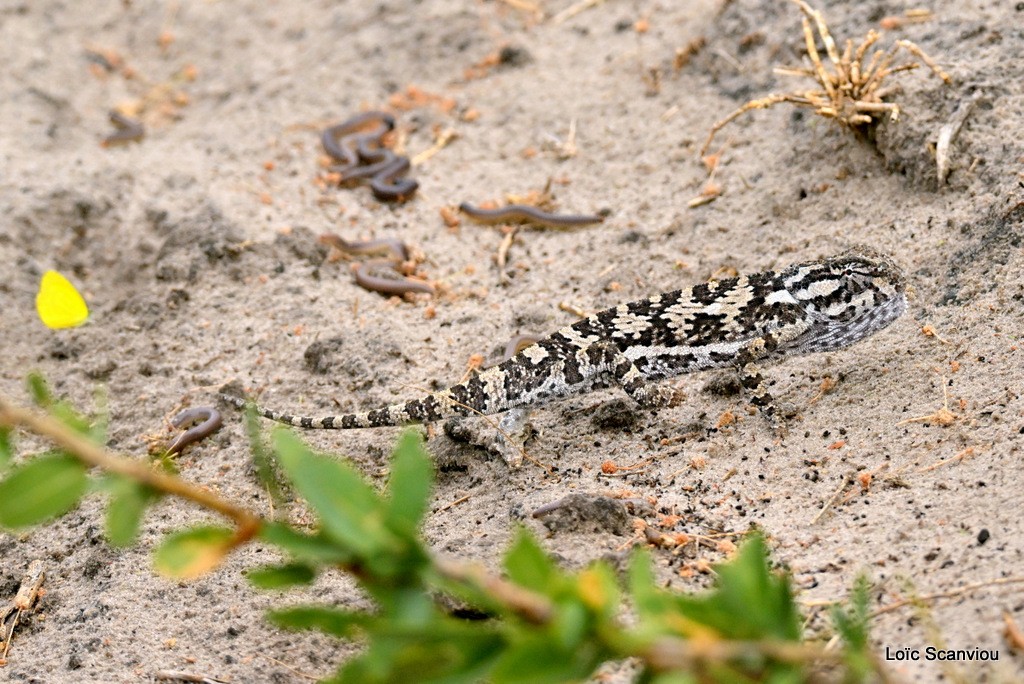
<point>197,250</point>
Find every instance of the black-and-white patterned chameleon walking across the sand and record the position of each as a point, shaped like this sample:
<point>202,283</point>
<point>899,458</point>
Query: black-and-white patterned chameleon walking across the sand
<point>743,323</point>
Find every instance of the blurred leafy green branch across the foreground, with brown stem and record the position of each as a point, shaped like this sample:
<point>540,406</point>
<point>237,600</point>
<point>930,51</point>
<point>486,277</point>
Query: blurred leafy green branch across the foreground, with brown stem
<point>538,624</point>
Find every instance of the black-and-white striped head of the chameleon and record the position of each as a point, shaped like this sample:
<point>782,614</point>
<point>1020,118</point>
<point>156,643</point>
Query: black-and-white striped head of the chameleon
<point>847,297</point>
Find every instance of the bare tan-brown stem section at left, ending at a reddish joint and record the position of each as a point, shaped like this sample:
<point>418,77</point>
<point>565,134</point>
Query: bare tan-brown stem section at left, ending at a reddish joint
<point>247,524</point>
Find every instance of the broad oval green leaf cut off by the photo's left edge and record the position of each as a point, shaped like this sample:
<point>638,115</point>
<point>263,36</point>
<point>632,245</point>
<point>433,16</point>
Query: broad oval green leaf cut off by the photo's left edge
<point>40,490</point>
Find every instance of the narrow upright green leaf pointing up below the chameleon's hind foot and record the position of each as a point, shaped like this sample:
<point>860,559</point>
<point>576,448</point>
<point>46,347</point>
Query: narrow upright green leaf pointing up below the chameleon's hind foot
<point>412,480</point>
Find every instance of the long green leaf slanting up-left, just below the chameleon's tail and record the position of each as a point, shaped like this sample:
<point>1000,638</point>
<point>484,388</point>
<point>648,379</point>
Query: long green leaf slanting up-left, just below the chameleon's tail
<point>352,511</point>
